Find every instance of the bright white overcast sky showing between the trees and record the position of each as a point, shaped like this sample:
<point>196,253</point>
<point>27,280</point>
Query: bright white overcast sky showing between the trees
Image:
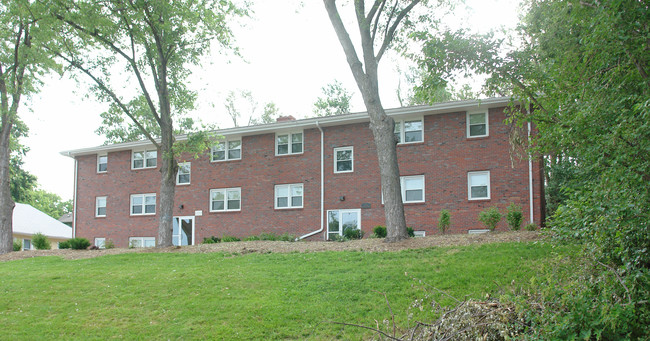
<point>291,52</point>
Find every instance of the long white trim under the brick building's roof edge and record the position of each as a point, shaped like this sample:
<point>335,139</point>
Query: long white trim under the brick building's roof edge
<point>359,117</point>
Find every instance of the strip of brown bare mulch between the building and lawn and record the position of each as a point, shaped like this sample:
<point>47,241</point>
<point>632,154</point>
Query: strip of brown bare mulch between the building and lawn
<point>368,245</point>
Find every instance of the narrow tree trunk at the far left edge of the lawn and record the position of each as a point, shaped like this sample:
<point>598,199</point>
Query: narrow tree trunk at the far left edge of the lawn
<point>6,202</point>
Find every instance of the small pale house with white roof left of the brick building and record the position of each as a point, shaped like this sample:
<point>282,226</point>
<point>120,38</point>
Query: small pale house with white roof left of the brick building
<point>28,221</point>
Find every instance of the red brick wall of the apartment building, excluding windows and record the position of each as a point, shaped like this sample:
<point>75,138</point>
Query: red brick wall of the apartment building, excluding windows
<point>444,158</point>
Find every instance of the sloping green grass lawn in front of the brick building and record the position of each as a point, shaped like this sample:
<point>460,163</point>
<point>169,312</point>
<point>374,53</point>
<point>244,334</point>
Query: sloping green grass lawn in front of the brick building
<point>252,296</point>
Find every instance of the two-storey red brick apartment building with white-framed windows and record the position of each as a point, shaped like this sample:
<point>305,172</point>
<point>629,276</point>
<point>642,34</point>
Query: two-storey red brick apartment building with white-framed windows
<point>310,178</point>
